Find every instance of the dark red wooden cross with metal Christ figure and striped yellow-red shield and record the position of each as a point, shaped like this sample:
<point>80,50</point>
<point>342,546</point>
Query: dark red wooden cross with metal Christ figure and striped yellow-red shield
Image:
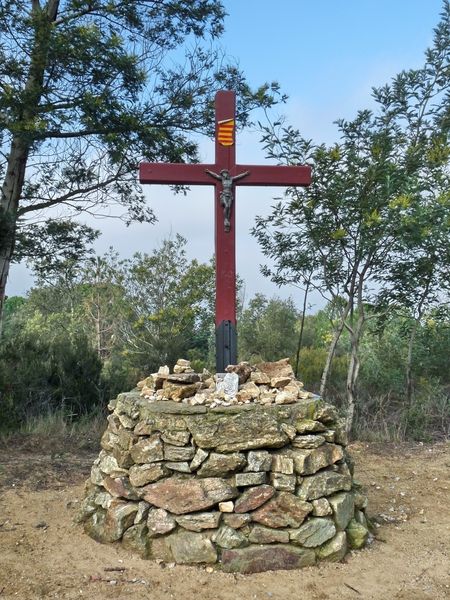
<point>225,175</point>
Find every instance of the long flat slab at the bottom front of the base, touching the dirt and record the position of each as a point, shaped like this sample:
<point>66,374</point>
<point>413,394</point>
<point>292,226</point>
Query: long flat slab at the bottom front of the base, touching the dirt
<point>255,559</point>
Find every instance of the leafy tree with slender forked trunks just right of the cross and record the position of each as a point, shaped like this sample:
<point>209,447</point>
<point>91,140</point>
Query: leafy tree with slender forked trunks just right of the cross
<point>345,227</point>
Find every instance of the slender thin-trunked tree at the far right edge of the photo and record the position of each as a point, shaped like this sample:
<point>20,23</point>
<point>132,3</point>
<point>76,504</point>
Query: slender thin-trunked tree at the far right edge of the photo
<point>417,105</point>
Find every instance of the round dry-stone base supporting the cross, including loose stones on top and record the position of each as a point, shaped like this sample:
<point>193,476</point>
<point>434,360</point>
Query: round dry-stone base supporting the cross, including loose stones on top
<point>244,469</point>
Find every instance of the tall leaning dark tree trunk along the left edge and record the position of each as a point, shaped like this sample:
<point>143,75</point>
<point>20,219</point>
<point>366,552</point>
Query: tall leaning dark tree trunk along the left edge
<point>21,142</point>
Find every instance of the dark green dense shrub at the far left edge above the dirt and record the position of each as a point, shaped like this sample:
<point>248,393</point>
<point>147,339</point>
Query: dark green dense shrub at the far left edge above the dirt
<point>42,369</point>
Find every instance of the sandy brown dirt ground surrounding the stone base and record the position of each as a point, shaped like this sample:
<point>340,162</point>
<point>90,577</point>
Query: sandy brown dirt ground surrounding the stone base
<point>43,554</point>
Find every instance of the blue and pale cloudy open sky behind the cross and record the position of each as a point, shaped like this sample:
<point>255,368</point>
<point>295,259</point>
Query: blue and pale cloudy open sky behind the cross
<point>326,55</point>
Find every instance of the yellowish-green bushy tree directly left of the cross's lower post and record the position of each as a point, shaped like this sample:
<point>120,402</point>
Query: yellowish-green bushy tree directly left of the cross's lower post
<point>170,305</point>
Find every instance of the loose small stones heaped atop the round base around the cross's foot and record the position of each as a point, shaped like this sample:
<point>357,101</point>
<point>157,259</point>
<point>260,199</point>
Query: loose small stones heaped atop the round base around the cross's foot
<point>266,383</point>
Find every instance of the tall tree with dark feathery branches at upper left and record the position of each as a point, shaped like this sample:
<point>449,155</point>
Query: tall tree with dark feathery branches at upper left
<point>88,88</point>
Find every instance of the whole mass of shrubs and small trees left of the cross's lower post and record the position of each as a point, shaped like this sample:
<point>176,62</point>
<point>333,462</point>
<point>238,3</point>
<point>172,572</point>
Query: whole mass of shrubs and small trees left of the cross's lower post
<point>91,329</point>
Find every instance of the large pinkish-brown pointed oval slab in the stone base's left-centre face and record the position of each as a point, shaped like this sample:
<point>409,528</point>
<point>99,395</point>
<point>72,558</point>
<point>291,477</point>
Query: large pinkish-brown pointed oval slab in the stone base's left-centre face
<point>180,496</point>
